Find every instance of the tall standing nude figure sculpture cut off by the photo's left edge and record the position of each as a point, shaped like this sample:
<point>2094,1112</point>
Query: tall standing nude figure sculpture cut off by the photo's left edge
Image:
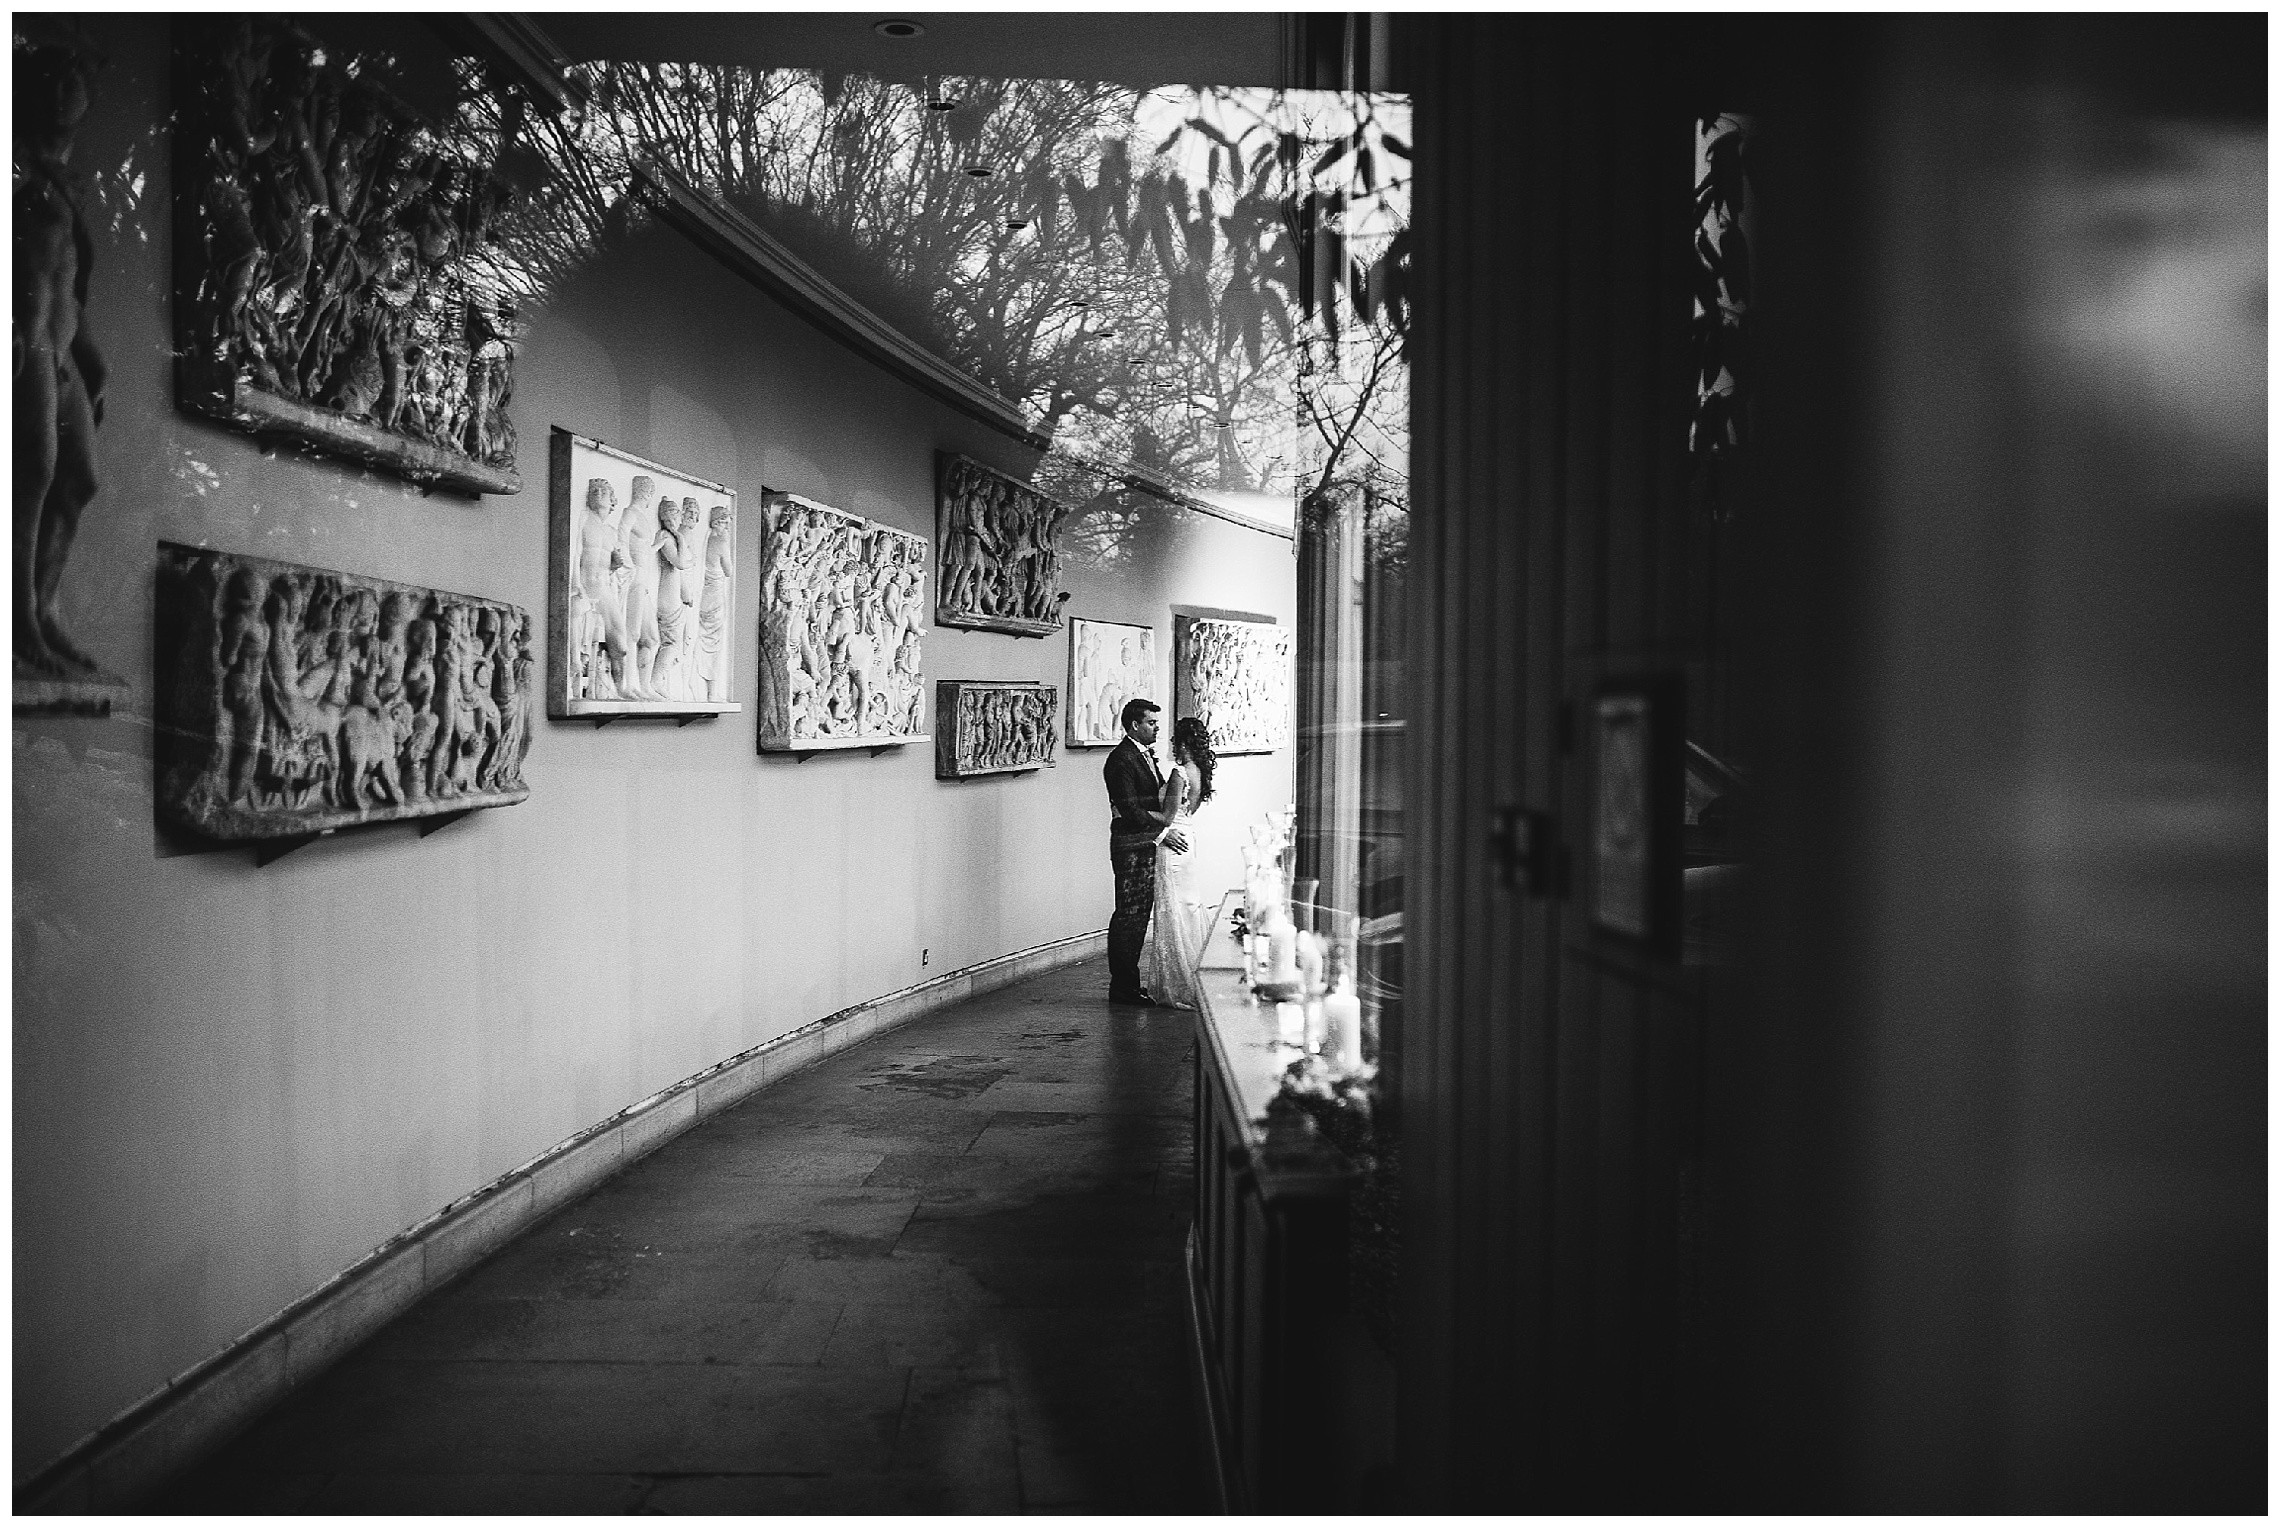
<point>58,371</point>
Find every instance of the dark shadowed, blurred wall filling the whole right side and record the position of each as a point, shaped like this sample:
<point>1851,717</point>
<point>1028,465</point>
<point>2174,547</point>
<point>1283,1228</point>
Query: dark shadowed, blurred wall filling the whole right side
<point>1953,1194</point>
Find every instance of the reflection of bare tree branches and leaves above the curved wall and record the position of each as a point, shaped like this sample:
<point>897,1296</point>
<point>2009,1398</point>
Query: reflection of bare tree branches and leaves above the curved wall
<point>1137,270</point>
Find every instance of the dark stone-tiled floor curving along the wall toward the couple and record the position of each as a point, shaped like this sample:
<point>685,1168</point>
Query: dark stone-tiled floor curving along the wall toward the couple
<point>936,1274</point>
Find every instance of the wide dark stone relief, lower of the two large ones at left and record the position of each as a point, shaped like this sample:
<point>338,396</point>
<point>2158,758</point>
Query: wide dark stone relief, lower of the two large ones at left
<point>298,699</point>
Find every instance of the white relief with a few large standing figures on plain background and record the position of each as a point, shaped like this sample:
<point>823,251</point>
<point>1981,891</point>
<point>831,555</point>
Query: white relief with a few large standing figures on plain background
<point>642,590</point>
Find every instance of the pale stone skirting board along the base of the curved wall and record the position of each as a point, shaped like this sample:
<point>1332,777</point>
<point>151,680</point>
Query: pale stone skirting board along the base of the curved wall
<point>209,1404</point>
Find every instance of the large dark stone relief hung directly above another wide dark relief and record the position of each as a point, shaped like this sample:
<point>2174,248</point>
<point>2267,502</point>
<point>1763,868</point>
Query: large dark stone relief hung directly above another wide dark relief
<point>329,279</point>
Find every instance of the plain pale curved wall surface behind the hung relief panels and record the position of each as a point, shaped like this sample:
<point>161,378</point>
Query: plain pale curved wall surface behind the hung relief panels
<point>234,1082</point>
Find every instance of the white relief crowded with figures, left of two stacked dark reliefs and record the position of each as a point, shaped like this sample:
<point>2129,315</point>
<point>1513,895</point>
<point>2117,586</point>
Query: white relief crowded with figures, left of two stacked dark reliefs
<point>842,605</point>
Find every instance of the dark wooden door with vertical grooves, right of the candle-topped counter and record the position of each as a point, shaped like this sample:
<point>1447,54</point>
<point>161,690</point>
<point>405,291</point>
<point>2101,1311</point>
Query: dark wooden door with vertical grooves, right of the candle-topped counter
<point>1552,1066</point>
